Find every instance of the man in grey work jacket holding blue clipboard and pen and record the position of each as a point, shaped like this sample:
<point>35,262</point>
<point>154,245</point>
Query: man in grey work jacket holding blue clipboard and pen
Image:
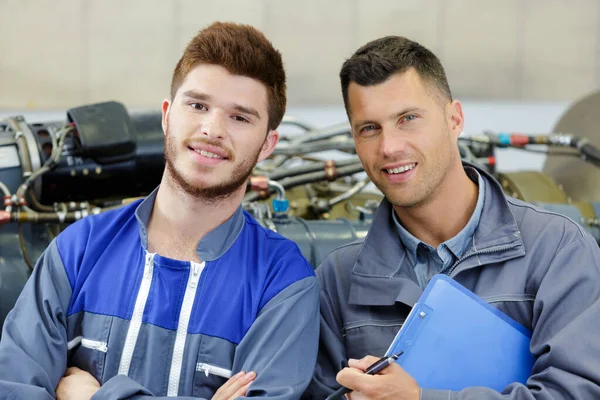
<point>441,215</point>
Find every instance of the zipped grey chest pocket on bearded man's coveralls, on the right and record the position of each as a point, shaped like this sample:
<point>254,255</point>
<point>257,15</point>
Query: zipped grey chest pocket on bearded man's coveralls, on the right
<point>213,366</point>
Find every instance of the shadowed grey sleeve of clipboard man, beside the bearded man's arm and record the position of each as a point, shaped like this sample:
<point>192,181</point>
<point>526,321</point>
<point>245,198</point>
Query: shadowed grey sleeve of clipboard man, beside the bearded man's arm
<point>332,350</point>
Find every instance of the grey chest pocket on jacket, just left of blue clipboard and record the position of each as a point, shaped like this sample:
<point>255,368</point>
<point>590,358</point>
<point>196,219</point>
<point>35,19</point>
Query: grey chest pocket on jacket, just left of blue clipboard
<point>370,337</point>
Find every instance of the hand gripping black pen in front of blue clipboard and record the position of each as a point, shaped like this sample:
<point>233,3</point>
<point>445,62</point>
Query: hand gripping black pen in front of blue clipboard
<point>391,383</point>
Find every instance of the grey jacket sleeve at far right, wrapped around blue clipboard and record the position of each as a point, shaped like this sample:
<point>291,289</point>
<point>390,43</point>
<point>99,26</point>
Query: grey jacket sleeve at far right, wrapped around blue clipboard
<point>565,333</point>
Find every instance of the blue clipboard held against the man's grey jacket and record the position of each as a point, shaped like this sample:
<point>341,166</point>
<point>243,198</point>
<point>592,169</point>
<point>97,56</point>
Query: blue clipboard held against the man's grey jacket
<point>453,339</point>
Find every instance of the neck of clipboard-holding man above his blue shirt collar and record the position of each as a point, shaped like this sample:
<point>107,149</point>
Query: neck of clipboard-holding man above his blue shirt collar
<point>445,215</point>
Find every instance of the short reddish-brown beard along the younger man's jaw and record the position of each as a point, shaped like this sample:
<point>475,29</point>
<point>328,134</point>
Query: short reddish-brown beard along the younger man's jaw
<point>213,193</point>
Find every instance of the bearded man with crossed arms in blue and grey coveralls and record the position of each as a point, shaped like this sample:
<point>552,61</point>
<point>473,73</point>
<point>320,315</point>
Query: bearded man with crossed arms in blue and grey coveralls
<point>182,293</point>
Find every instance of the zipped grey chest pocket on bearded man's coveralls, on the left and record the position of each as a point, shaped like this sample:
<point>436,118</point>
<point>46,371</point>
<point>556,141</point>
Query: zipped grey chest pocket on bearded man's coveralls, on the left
<point>88,349</point>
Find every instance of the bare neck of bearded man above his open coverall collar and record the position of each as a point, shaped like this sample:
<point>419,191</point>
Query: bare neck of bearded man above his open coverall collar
<point>179,220</point>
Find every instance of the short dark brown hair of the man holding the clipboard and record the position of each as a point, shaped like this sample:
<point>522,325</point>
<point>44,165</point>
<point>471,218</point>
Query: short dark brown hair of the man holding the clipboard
<point>379,59</point>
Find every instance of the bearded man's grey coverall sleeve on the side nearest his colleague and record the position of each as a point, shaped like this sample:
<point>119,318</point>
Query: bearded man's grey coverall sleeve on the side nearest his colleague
<point>280,346</point>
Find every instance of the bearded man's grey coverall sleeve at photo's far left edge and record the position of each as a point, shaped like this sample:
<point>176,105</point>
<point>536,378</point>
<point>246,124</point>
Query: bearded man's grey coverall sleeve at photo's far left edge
<point>33,349</point>
